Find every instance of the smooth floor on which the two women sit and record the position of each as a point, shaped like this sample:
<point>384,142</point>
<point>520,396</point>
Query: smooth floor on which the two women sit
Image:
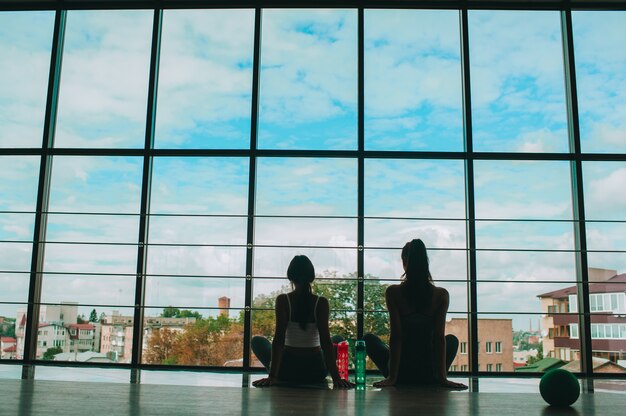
<point>57,398</point>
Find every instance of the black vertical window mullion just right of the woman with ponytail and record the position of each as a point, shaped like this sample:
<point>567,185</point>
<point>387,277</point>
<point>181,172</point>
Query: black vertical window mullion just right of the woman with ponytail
<point>469,199</point>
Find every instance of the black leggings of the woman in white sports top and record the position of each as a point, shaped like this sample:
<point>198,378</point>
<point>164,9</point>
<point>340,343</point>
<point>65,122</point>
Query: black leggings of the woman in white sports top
<point>293,368</point>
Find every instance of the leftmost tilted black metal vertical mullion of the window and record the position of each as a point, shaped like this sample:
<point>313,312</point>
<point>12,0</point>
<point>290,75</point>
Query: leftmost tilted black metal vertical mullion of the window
<point>43,197</point>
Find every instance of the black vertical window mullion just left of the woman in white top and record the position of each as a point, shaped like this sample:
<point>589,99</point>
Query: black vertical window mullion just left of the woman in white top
<point>256,68</point>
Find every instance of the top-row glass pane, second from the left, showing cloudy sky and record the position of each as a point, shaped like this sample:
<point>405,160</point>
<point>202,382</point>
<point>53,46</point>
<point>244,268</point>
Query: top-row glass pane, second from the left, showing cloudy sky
<point>104,81</point>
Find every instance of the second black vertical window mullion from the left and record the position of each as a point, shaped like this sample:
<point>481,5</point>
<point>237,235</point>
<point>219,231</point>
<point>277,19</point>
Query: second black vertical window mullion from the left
<point>144,220</point>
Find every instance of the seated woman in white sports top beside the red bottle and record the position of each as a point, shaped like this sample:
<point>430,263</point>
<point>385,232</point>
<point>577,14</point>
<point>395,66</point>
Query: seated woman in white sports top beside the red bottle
<point>302,351</point>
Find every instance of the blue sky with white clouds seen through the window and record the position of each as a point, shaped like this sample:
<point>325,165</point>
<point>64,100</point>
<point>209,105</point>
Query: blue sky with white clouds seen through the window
<point>308,100</point>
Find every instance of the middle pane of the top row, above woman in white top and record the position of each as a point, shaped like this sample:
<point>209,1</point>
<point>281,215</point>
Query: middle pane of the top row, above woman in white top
<point>308,82</point>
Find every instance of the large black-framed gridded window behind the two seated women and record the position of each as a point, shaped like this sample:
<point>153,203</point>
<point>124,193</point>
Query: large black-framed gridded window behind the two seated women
<point>159,169</point>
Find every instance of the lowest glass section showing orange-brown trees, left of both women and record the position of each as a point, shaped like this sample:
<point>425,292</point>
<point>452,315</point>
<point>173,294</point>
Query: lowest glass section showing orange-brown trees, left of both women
<point>199,340</point>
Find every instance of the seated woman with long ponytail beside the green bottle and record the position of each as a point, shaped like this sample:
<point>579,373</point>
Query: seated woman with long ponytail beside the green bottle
<point>419,352</point>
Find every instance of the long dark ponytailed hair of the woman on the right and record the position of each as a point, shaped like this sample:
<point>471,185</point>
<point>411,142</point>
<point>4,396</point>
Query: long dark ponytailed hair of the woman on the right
<point>418,279</point>
